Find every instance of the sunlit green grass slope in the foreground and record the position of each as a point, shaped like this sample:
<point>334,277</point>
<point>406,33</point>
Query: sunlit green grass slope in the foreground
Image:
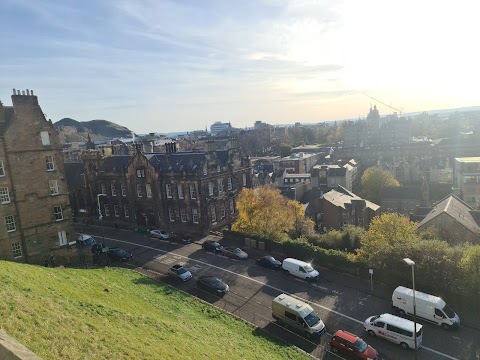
<point>68,314</point>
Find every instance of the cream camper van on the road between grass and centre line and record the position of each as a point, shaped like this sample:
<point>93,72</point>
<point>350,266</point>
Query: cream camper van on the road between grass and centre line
<point>298,315</point>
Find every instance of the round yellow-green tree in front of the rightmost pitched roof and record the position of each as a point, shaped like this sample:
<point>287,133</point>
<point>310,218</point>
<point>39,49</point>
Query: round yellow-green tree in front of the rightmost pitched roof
<point>388,240</point>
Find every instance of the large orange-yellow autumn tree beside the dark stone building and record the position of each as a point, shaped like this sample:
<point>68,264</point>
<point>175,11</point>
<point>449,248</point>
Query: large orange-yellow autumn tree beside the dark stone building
<point>264,212</point>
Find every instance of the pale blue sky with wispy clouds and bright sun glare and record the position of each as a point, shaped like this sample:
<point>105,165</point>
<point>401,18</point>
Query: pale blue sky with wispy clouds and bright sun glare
<point>167,66</point>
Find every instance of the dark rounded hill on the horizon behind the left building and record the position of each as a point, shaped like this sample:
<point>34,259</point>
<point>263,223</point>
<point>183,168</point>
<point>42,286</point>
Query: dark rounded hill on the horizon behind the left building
<point>71,130</point>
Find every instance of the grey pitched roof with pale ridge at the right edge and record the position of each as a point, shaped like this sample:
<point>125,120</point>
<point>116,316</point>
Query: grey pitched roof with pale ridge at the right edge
<point>458,210</point>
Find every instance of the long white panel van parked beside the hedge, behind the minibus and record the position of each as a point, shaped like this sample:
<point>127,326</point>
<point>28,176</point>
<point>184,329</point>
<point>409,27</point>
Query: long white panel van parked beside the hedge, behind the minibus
<point>428,307</point>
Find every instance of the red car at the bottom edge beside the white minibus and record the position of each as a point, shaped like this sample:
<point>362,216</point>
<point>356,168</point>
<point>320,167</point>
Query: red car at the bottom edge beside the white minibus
<point>352,345</point>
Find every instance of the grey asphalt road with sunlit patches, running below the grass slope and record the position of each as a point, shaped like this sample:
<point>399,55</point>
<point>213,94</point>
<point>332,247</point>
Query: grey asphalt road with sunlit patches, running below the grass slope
<point>252,289</point>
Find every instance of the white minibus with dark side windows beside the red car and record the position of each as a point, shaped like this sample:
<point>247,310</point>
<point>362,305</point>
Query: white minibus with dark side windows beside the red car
<point>395,329</point>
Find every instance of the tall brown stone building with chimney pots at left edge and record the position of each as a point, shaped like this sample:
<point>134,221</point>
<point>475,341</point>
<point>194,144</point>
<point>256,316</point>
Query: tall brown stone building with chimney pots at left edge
<point>35,211</point>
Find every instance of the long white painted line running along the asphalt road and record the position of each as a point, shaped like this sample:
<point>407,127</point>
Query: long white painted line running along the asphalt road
<point>271,287</point>
